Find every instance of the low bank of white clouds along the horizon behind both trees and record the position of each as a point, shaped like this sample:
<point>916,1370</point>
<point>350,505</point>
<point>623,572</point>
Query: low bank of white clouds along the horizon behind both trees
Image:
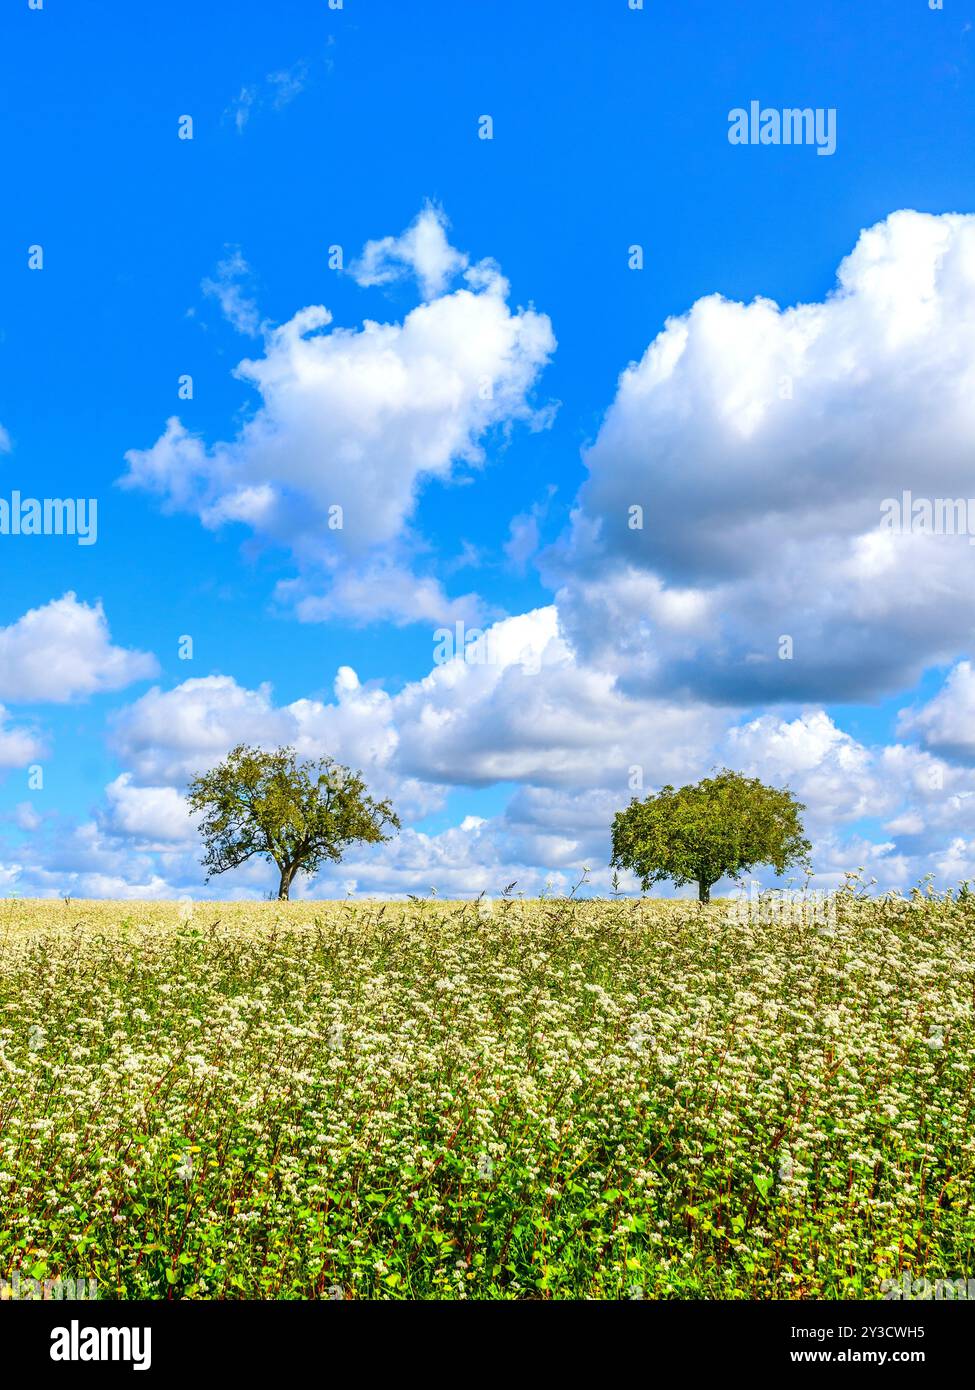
<point>517,707</point>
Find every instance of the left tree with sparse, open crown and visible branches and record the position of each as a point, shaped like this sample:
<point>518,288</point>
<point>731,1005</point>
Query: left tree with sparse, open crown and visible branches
<point>296,814</point>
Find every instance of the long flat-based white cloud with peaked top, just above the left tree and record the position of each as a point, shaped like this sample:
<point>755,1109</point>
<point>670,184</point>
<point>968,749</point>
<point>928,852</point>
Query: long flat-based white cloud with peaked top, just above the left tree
<point>513,707</point>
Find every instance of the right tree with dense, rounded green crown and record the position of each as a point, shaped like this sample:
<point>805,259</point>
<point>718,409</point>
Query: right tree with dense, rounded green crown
<point>724,825</point>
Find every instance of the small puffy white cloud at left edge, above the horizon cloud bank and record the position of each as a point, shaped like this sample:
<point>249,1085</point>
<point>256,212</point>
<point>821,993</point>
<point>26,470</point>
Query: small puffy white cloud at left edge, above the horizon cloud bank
<point>63,651</point>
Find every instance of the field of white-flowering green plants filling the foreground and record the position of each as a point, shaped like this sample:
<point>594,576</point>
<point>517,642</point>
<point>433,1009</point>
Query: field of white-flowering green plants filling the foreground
<point>538,1099</point>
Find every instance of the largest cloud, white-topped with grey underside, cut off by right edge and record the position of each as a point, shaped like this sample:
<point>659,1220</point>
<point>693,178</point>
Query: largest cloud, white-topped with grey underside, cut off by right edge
<point>760,445</point>
